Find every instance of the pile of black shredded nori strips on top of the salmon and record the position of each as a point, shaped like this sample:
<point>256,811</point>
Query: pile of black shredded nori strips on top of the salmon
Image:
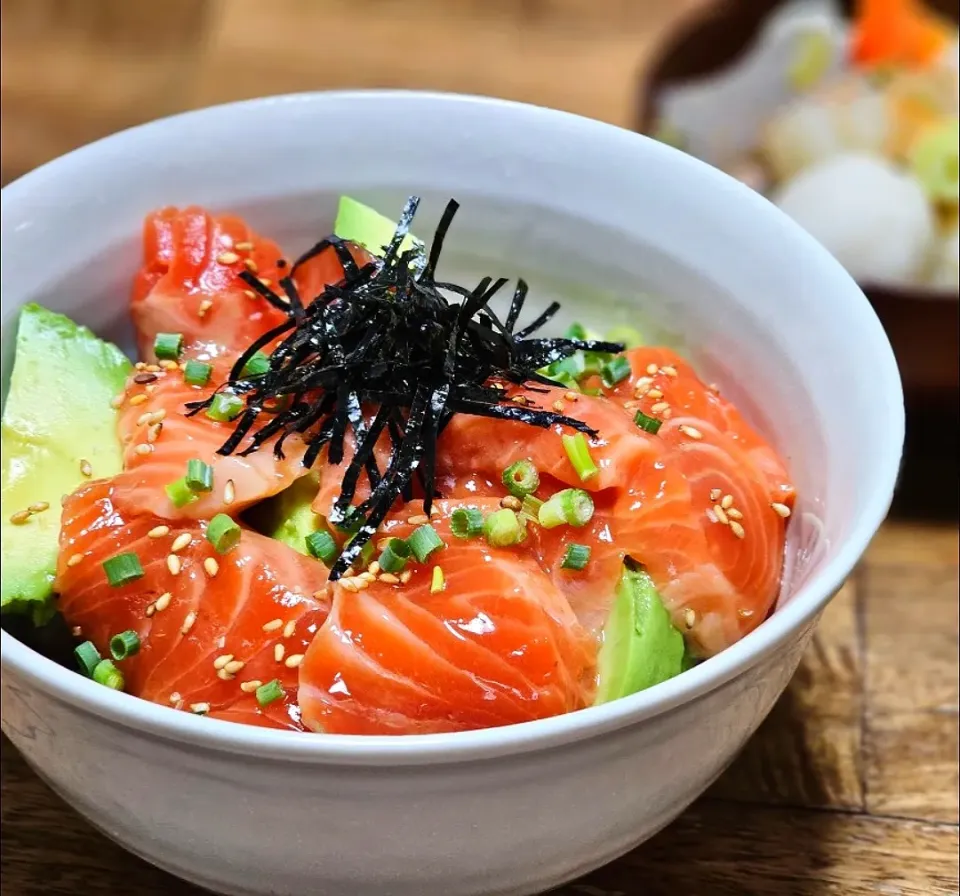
<point>385,340</point>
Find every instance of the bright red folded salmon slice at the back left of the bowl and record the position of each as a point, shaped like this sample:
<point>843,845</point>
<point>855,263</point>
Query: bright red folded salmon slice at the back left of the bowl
<point>189,282</point>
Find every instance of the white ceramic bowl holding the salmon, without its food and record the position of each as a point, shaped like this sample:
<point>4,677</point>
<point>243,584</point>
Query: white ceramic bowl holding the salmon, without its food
<point>600,211</point>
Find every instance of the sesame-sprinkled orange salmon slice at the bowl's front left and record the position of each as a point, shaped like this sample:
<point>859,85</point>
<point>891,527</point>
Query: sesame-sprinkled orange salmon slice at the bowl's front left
<point>207,632</point>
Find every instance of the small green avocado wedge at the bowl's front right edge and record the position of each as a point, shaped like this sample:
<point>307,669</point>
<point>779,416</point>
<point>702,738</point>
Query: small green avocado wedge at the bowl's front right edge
<point>640,645</point>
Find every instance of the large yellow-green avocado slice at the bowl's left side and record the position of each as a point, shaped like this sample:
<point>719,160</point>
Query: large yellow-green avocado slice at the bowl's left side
<point>57,414</point>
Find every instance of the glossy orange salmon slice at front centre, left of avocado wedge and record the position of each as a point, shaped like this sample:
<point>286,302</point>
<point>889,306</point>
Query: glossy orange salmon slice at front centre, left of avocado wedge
<point>497,645</point>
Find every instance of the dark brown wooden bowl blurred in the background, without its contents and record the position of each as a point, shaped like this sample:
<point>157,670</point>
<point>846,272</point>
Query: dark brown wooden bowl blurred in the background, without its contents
<point>923,330</point>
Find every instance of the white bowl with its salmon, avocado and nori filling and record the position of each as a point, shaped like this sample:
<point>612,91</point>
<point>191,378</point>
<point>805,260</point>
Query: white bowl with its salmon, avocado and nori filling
<point>419,493</point>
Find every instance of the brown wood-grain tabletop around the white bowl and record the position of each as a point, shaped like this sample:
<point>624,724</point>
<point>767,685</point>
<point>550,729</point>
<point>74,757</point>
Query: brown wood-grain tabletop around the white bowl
<point>851,785</point>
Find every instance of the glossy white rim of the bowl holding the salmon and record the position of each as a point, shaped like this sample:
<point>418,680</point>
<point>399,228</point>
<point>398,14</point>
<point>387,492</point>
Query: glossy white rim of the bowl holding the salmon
<point>786,624</point>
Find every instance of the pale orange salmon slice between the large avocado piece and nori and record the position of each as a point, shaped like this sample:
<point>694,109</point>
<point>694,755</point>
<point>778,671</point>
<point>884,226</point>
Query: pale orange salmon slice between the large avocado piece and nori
<point>160,439</point>
